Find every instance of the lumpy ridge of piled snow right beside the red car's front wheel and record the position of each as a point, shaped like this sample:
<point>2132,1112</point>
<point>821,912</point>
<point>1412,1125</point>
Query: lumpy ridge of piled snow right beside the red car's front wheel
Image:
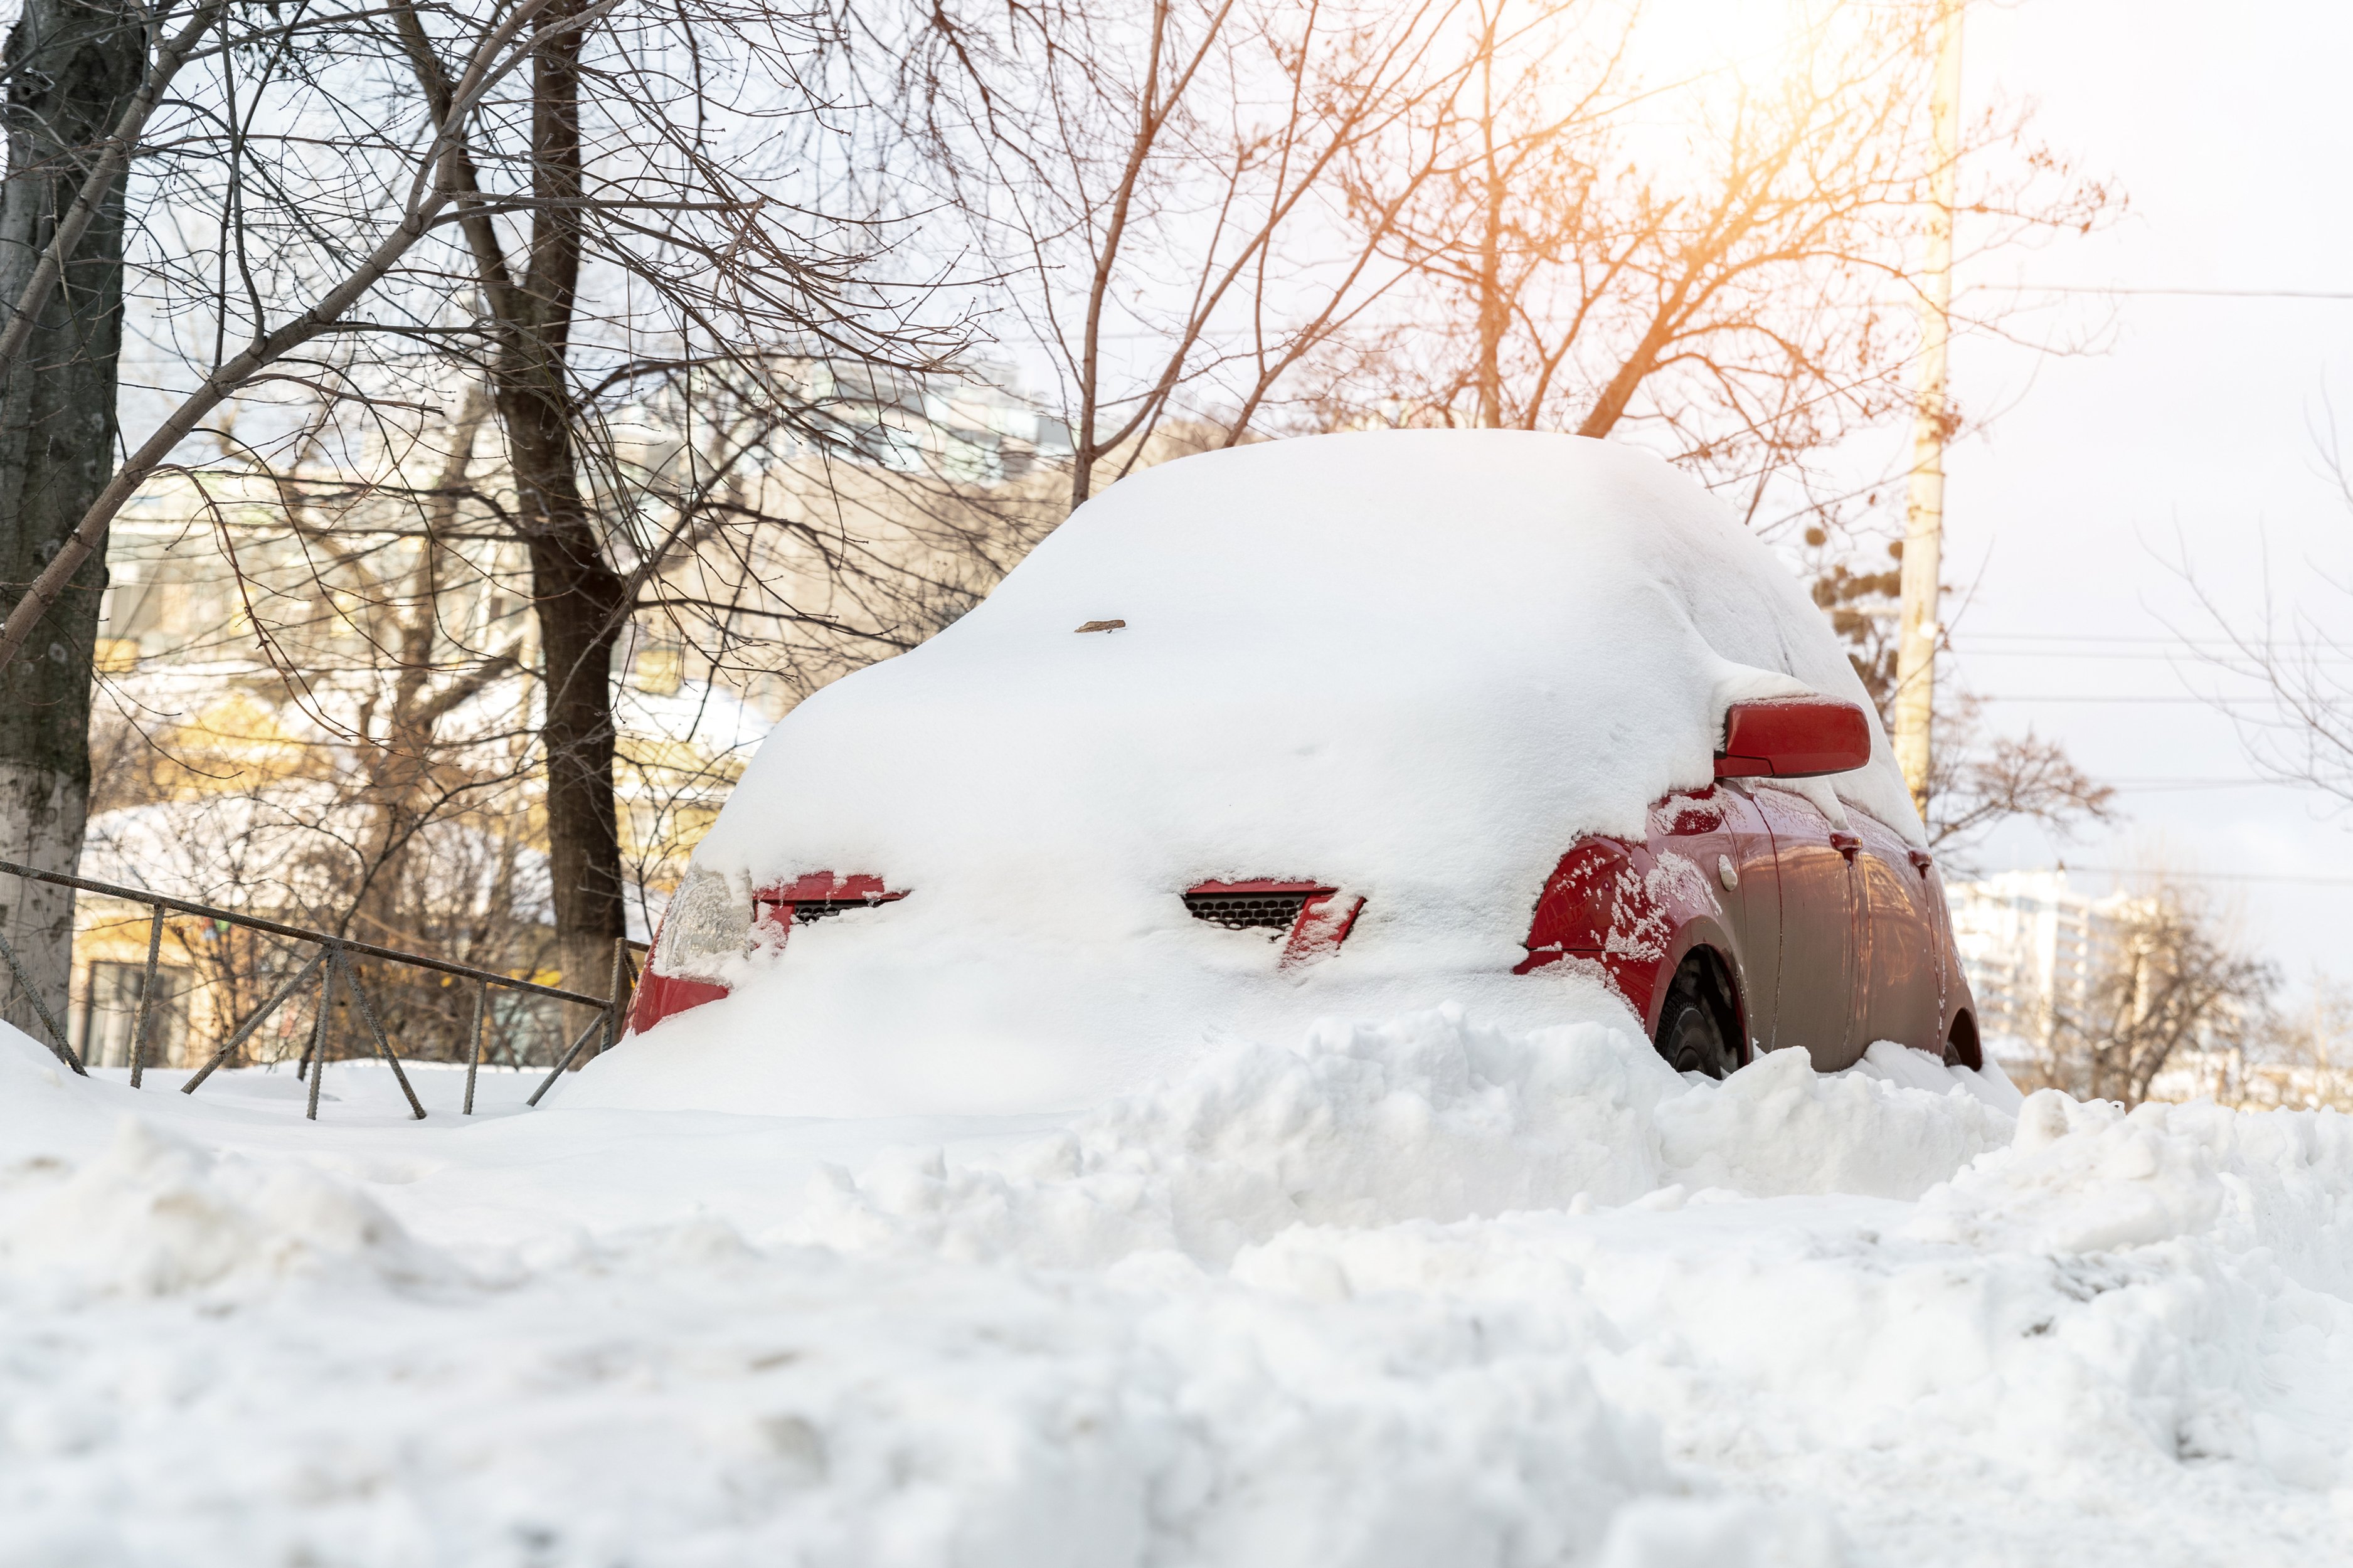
<point>1422,1119</point>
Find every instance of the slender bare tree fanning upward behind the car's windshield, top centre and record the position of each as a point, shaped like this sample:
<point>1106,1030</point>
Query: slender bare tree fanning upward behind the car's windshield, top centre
<point>1156,185</point>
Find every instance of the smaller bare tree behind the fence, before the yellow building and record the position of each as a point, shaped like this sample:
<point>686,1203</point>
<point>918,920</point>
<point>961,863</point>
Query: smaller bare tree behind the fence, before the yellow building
<point>371,776</point>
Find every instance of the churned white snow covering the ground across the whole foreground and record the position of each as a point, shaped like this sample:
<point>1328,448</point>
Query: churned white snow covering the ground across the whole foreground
<point>1401,1296</point>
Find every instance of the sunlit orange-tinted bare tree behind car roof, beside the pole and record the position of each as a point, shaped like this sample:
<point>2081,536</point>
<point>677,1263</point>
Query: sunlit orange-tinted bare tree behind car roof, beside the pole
<point>1735,291</point>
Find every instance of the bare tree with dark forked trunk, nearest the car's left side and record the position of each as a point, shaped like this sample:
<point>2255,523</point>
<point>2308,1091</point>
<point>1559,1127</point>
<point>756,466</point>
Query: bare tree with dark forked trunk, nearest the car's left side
<point>566,201</point>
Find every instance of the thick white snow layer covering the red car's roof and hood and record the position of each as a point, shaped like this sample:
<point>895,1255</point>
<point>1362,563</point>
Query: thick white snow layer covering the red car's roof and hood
<point>1413,665</point>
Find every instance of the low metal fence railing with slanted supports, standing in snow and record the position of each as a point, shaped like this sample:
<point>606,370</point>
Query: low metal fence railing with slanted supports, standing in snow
<point>331,964</point>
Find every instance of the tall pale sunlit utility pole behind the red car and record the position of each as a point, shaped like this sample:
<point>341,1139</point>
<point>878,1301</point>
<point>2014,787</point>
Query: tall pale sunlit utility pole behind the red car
<point>1924,507</point>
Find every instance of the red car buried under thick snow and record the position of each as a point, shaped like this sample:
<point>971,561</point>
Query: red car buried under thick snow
<point>1340,726</point>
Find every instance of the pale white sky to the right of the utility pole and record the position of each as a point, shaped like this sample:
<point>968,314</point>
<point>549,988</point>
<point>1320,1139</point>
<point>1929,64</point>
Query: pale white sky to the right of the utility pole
<point>2192,434</point>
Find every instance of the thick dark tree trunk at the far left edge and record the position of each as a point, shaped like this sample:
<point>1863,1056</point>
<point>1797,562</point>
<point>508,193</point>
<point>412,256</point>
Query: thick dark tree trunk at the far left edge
<point>72,69</point>
